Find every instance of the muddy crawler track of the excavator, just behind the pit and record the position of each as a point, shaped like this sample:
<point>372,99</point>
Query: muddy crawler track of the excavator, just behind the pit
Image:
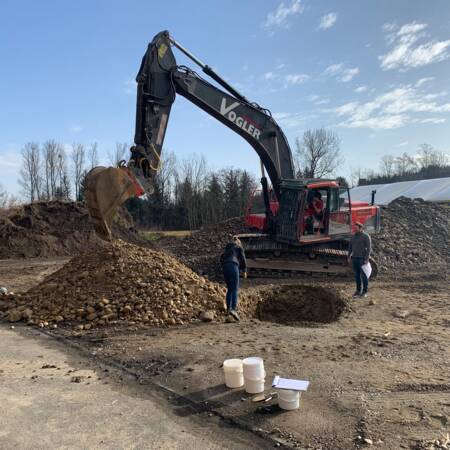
<point>268,258</point>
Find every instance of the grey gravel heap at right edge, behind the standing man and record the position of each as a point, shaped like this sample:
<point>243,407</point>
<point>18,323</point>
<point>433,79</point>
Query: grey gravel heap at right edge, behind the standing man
<point>414,233</point>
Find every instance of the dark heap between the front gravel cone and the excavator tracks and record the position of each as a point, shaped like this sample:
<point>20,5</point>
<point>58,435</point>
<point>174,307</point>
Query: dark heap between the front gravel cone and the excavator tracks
<point>202,249</point>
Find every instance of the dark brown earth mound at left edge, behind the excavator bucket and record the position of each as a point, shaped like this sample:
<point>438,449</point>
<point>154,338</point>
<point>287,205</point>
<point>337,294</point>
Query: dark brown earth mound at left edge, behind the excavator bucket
<point>47,229</point>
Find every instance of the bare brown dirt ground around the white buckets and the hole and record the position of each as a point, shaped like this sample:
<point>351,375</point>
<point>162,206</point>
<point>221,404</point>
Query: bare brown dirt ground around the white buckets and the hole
<point>381,372</point>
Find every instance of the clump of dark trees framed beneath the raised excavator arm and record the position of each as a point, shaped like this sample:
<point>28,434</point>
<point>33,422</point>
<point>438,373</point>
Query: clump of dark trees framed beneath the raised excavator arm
<point>189,196</point>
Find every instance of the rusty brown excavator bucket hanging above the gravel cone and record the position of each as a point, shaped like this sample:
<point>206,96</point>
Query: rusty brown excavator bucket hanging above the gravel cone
<point>106,189</point>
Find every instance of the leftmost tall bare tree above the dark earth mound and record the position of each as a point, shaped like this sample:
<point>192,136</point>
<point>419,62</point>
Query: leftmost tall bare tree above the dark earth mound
<point>30,173</point>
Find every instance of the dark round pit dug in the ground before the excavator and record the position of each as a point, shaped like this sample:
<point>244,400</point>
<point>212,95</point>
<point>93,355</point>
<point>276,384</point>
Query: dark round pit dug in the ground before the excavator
<point>299,304</point>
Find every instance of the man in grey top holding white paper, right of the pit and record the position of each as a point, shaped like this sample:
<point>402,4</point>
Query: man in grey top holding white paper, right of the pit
<point>359,254</point>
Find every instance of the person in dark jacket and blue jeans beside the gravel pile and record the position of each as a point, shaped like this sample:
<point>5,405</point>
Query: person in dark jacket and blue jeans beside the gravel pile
<point>233,261</point>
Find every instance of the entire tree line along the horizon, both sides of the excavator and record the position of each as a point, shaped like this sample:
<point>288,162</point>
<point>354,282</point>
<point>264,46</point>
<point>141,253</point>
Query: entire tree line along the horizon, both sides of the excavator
<point>188,195</point>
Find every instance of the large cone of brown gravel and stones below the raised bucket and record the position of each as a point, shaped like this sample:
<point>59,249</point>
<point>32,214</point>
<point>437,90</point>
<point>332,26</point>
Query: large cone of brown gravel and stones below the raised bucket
<point>121,283</point>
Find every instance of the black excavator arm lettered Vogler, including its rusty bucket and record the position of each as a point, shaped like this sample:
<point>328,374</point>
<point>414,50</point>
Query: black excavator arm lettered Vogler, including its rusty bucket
<point>158,81</point>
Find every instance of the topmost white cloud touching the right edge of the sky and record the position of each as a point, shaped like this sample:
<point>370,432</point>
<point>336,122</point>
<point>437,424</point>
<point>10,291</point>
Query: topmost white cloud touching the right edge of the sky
<point>406,52</point>
